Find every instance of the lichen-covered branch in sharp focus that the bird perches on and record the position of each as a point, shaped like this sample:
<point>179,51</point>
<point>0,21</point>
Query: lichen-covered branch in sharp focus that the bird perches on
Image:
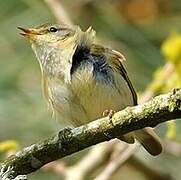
<point>160,109</point>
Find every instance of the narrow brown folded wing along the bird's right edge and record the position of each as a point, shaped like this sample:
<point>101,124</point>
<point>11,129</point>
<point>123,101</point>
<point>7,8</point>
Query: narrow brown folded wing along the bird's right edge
<point>115,60</point>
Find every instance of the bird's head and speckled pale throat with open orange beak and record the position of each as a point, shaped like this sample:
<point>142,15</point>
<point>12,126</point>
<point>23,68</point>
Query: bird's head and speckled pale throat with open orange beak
<point>54,45</point>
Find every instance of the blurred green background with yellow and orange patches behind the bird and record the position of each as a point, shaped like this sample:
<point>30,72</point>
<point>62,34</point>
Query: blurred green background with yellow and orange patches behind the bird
<point>147,32</point>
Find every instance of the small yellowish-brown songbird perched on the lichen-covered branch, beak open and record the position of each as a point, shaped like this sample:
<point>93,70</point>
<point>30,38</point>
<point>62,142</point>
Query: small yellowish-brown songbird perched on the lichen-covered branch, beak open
<point>82,79</point>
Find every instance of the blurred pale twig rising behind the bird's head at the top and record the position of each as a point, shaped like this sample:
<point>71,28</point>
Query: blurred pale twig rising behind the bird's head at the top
<point>58,11</point>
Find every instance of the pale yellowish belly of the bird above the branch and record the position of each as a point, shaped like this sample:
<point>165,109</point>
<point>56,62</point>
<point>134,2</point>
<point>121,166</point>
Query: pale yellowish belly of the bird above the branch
<point>84,99</point>
